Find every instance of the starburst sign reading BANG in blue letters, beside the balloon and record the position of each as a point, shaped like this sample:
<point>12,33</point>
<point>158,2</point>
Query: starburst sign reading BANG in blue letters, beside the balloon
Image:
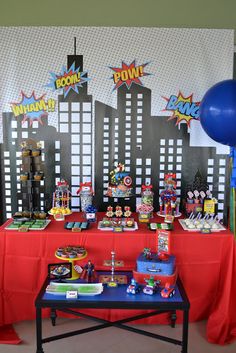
<point>183,108</point>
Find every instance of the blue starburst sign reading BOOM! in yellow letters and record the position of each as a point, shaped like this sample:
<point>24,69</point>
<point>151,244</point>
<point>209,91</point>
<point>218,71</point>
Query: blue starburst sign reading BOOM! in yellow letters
<point>68,80</point>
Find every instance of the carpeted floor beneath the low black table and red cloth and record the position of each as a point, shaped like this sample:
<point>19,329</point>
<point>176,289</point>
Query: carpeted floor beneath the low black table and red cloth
<point>111,340</point>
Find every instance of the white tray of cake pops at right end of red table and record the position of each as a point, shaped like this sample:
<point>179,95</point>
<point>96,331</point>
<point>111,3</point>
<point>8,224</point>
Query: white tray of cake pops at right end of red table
<point>199,225</point>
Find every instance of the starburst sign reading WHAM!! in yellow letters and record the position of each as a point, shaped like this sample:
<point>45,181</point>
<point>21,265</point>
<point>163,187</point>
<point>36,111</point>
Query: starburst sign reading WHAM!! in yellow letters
<point>33,108</point>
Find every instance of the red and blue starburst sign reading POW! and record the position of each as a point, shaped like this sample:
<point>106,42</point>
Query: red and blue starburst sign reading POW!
<point>128,74</point>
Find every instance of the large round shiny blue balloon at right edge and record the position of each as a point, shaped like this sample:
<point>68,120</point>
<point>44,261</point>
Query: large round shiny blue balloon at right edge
<point>218,112</point>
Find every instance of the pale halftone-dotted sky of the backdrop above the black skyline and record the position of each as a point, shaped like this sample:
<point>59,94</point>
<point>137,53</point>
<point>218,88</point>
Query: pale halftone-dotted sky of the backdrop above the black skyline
<point>190,60</point>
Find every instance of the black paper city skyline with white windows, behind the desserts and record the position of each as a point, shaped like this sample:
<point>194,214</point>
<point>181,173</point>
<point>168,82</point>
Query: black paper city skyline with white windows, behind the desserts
<point>93,136</point>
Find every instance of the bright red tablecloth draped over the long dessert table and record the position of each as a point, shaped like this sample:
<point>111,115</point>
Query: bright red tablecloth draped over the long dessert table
<point>206,265</point>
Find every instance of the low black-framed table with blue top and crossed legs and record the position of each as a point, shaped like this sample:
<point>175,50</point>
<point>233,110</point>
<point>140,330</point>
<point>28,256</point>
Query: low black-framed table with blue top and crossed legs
<point>114,298</point>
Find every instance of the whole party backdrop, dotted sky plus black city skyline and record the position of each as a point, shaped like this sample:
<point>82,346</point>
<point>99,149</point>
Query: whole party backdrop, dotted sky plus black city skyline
<point>99,124</point>
